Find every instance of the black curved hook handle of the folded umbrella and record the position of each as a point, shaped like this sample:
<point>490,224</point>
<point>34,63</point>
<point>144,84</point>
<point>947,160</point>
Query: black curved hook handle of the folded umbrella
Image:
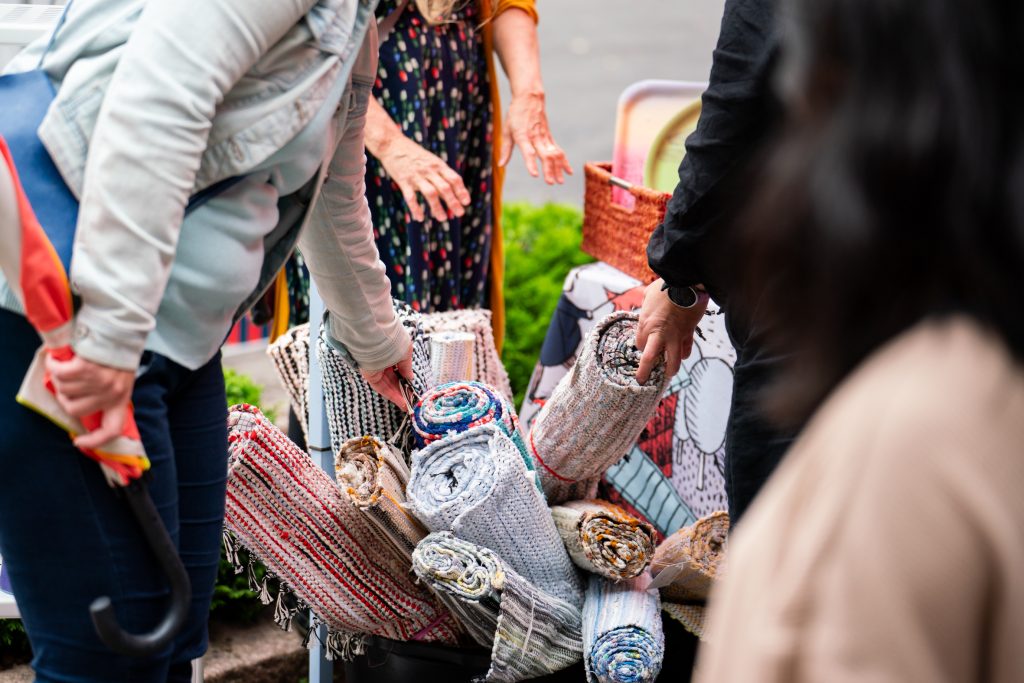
<point>102,610</point>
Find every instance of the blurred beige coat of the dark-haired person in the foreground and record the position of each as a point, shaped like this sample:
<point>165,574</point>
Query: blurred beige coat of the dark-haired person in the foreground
<point>889,547</point>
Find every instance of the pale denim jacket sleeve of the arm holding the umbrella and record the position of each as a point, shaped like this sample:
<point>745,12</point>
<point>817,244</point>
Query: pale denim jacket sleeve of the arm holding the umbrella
<point>183,59</point>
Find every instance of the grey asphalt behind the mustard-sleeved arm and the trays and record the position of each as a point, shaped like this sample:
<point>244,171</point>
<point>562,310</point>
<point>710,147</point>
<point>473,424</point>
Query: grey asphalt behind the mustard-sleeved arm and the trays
<point>590,52</point>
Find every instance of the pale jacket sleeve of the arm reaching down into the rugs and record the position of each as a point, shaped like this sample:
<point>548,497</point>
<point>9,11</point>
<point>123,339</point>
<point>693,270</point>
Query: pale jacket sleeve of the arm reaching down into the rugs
<point>339,248</point>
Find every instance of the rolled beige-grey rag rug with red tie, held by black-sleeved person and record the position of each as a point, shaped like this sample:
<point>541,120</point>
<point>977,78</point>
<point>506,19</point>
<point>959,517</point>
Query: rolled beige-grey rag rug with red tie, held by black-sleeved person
<point>596,412</point>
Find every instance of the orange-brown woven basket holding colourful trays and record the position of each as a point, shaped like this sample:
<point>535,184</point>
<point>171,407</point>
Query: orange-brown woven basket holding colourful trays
<point>615,234</point>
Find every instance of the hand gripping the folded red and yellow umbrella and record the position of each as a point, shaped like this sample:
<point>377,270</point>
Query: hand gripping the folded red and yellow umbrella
<point>84,388</point>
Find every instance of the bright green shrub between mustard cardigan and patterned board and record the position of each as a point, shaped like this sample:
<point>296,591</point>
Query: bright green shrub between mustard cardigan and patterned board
<point>542,245</point>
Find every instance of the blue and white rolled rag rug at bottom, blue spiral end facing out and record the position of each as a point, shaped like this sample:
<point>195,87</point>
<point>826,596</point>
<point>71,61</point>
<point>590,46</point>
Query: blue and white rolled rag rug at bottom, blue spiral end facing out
<point>623,639</point>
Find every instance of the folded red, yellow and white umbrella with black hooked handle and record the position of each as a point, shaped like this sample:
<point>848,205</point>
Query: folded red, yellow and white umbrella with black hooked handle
<point>38,277</point>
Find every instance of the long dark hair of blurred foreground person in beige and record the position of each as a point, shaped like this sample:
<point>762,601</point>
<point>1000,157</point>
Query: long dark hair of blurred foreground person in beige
<point>897,190</point>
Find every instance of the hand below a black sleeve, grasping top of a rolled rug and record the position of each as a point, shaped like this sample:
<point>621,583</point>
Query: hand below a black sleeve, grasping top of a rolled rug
<point>665,330</point>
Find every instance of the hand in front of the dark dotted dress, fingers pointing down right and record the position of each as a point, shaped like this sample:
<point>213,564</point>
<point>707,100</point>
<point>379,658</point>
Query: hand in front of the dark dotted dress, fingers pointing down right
<point>416,170</point>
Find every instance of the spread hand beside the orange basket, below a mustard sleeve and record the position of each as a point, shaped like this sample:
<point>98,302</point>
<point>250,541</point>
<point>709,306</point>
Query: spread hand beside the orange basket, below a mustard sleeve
<point>527,125</point>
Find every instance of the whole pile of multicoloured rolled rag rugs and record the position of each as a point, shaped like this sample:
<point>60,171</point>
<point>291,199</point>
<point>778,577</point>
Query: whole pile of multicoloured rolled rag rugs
<point>468,534</point>
